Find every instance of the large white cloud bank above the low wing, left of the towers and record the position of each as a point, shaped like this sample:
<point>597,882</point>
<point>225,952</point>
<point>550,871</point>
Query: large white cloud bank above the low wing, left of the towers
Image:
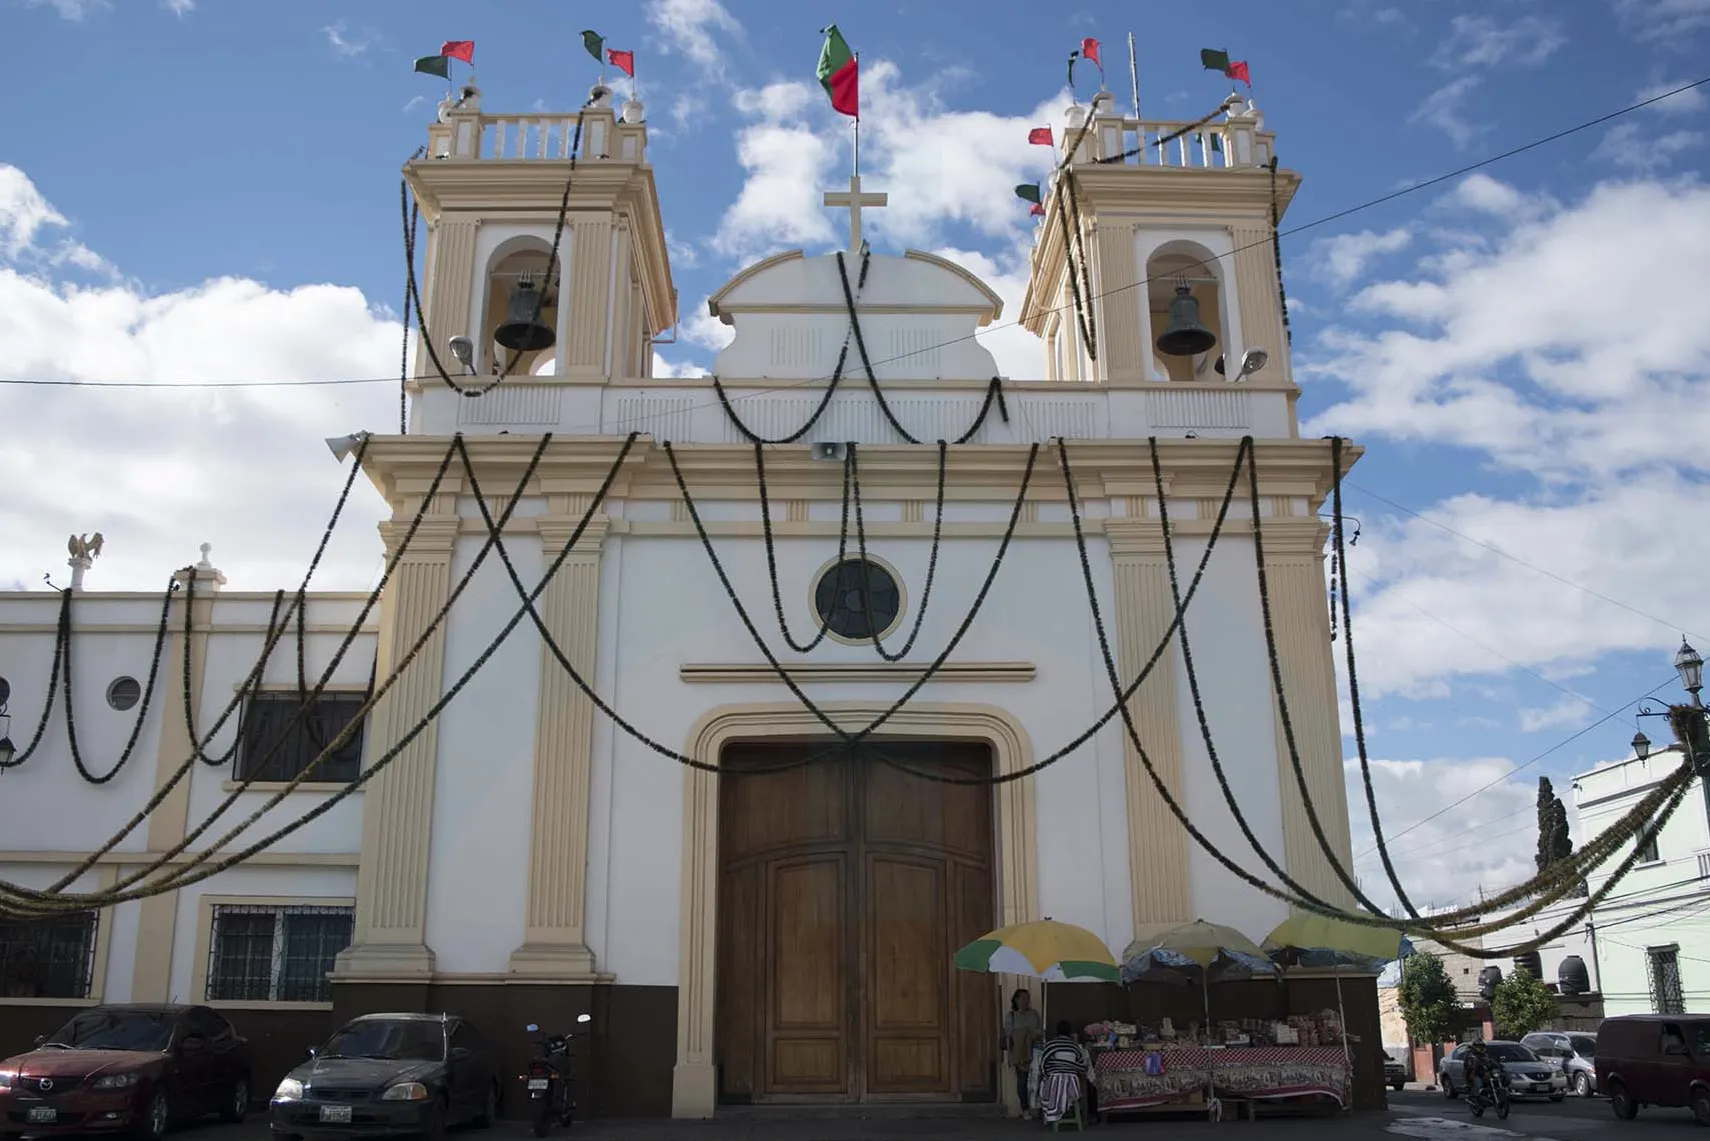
<point>160,471</point>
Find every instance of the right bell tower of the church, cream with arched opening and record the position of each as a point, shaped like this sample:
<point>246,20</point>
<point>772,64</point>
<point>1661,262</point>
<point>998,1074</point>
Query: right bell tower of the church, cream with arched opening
<point>1155,257</point>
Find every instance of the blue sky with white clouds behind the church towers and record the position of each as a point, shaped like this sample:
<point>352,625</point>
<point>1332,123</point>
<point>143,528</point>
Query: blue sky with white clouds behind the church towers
<point>209,191</point>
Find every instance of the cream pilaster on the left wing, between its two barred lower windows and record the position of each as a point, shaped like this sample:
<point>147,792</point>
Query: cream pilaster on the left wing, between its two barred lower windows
<point>151,978</point>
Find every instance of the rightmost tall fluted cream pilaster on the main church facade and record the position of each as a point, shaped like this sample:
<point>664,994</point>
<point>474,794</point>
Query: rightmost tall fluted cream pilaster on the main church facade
<point>1300,618</point>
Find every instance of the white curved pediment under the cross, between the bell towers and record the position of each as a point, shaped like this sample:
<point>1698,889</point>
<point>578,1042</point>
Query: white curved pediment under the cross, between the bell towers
<point>917,314</point>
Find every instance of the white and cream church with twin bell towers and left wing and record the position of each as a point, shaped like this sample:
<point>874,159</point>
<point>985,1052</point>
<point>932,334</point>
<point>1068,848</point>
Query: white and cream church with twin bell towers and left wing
<point>522,858</point>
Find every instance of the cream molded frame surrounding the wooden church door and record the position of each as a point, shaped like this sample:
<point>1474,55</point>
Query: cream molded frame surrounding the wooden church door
<point>1015,844</point>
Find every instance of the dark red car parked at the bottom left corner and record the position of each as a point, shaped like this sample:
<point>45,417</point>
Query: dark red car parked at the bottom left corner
<point>133,1070</point>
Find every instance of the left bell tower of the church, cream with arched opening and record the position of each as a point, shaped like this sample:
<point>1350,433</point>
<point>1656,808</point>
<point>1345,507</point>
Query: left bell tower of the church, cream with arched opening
<point>492,189</point>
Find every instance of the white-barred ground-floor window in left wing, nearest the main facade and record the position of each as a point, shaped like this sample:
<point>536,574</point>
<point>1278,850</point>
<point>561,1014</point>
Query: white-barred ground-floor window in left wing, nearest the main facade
<point>264,954</point>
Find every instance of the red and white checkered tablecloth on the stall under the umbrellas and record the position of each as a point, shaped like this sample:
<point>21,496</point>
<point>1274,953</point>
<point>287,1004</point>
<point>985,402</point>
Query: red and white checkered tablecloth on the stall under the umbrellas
<point>1278,1072</point>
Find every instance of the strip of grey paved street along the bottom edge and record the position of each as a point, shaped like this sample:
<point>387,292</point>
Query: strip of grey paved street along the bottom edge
<point>1415,1114</point>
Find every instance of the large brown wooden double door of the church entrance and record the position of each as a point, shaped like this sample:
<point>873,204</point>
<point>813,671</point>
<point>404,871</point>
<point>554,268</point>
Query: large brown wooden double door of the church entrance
<point>846,889</point>
